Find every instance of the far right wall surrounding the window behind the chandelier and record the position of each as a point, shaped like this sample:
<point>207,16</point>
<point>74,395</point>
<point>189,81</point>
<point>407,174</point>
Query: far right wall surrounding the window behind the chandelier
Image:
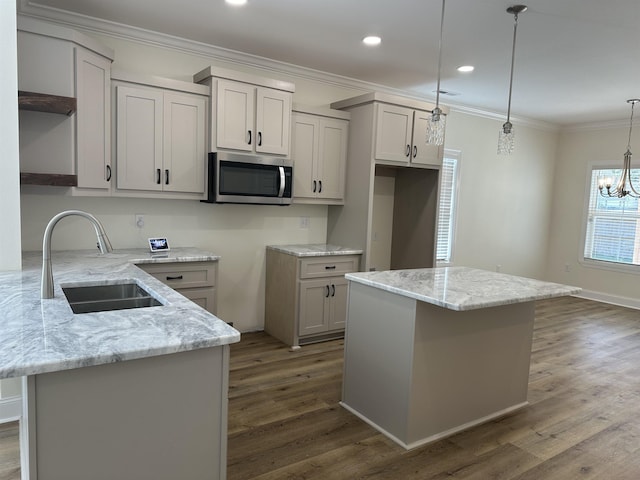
<point>578,149</point>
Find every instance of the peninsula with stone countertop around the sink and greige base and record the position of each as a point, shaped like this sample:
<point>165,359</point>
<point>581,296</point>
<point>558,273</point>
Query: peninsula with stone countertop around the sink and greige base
<point>137,393</point>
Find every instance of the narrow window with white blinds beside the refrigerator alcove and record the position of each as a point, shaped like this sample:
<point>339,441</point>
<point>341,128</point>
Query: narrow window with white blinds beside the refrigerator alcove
<point>447,207</point>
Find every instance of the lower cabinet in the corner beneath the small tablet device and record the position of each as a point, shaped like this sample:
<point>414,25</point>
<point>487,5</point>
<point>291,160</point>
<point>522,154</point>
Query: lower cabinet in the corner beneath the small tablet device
<point>195,280</point>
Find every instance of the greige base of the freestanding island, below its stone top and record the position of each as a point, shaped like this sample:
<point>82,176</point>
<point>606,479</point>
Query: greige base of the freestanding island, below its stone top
<point>418,372</point>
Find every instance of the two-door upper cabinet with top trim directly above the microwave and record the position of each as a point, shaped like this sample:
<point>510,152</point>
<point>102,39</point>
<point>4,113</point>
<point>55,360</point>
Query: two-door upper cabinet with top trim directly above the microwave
<point>248,113</point>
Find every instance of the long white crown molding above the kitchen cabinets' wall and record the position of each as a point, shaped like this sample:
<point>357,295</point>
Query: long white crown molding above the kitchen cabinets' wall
<point>135,34</point>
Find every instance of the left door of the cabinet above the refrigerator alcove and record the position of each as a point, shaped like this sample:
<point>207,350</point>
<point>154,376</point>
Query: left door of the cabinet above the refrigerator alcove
<point>393,133</point>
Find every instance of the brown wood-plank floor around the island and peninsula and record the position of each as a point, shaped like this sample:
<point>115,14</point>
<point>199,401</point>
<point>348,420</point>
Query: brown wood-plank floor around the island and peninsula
<point>583,421</point>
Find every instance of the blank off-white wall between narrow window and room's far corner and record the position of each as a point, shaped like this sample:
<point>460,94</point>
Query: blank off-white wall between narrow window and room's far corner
<point>504,202</point>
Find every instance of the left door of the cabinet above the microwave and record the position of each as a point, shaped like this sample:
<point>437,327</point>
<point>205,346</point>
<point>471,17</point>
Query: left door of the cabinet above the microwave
<point>235,115</point>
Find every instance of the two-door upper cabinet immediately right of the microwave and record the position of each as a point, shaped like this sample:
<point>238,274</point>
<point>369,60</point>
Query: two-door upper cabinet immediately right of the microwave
<point>319,152</point>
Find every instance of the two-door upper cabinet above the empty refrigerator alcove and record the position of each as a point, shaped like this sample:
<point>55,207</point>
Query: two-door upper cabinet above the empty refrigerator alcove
<point>401,137</point>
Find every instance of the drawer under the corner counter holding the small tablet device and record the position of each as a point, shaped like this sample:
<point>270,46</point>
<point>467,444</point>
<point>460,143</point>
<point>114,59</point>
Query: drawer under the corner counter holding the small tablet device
<point>183,275</point>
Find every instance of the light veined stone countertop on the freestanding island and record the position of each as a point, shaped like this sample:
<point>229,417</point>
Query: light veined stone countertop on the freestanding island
<point>461,288</point>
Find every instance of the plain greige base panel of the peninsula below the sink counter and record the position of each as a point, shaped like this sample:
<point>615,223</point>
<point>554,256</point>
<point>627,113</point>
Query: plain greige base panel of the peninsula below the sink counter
<point>162,417</point>
